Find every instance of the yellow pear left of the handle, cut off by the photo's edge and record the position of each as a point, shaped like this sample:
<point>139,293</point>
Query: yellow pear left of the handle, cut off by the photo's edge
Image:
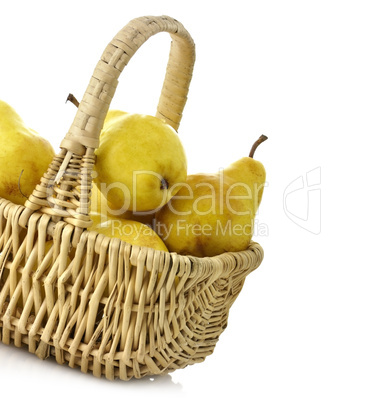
<point>24,156</point>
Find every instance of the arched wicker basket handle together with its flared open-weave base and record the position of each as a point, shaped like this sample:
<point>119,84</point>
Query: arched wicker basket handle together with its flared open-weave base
<point>65,189</point>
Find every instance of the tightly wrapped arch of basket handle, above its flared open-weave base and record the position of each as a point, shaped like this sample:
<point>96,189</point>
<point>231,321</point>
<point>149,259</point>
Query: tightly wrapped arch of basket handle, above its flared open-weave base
<point>89,119</point>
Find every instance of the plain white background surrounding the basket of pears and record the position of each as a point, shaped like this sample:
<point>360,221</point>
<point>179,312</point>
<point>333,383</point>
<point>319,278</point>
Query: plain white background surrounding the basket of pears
<point>293,70</point>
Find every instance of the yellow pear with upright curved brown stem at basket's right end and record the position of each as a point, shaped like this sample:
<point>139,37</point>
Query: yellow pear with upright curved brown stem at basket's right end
<point>214,213</point>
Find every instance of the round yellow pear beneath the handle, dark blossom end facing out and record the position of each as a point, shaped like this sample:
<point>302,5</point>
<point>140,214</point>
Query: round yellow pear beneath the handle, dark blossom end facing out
<point>140,162</point>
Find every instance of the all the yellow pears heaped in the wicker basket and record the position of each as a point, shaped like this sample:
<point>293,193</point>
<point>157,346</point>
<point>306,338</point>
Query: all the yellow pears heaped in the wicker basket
<point>141,191</point>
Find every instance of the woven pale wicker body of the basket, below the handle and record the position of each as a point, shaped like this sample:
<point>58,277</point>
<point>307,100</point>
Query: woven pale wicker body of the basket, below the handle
<point>108,307</point>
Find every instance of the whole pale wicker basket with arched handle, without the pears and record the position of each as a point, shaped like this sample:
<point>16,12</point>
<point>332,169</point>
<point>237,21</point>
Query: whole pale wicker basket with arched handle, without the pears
<point>98,303</point>
